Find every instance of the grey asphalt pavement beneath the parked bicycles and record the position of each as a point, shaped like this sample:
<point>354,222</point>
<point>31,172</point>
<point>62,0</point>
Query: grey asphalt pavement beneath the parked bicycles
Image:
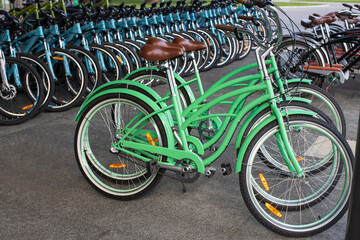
<point>44,196</point>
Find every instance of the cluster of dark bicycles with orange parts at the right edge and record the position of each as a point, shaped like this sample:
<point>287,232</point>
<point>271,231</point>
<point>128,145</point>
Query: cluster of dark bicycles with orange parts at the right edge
<point>329,53</point>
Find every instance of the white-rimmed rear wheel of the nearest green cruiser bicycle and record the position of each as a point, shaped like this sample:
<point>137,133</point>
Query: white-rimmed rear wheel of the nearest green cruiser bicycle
<point>116,173</point>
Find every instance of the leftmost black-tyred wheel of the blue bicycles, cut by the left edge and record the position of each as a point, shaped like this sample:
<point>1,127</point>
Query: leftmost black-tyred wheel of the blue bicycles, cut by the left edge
<point>22,98</point>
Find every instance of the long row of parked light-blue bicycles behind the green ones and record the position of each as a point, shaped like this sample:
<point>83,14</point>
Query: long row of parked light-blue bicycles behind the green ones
<point>54,56</point>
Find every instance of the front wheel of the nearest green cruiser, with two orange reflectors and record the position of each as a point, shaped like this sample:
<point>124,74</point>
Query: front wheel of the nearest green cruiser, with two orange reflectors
<point>285,203</point>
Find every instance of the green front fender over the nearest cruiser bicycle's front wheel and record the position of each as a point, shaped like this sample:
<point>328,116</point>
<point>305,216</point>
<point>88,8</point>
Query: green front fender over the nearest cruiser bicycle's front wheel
<point>252,134</point>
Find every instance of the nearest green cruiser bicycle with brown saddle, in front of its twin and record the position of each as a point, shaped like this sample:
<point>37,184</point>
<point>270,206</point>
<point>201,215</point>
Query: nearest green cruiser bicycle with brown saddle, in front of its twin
<point>295,170</point>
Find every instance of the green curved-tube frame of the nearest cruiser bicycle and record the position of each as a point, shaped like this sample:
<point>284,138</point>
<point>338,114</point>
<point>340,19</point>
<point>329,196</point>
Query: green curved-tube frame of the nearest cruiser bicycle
<point>198,111</point>
